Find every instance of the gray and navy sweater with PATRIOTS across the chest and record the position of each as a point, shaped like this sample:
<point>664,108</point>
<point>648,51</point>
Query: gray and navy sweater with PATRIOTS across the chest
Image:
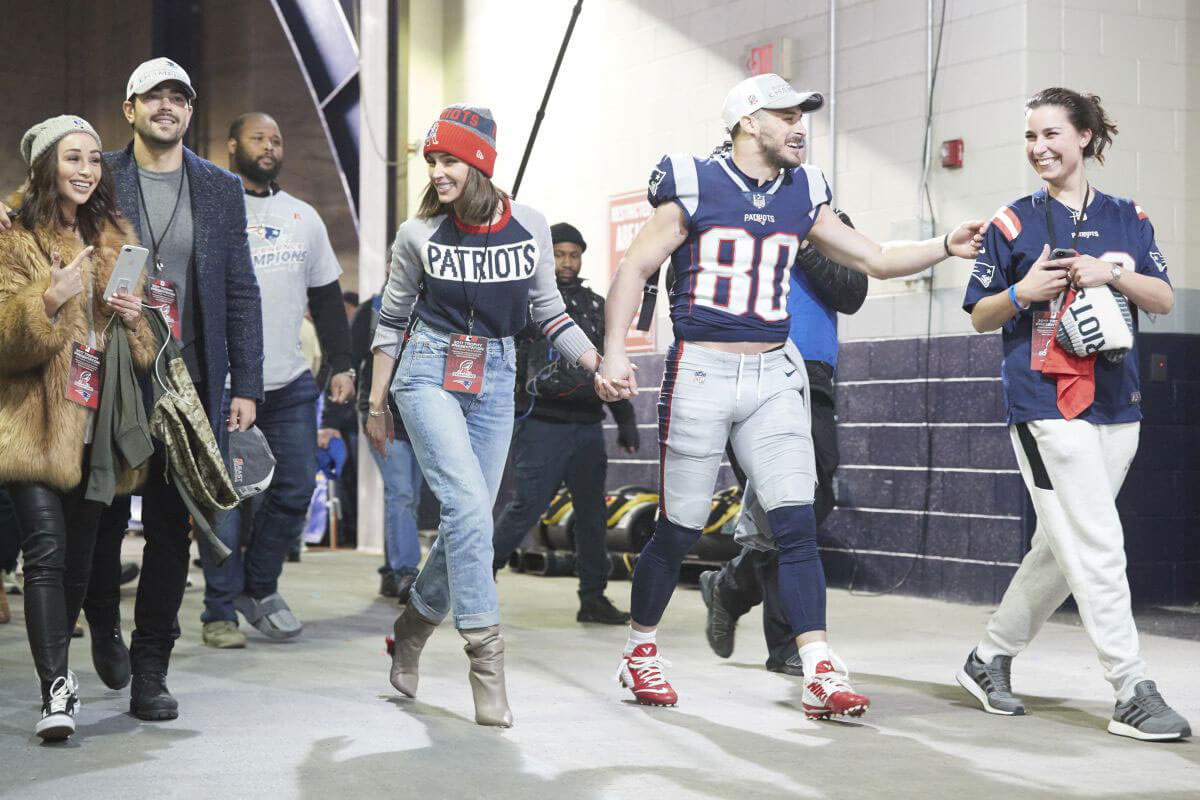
<point>489,279</point>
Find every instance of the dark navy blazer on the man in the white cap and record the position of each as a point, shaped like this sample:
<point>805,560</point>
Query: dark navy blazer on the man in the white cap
<point>226,288</point>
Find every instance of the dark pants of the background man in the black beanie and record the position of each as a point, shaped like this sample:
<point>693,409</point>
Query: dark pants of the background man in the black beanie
<point>545,455</point>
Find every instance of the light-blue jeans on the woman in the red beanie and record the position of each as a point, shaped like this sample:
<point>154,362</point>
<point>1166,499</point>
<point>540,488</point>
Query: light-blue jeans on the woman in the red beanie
<point>461,442</point>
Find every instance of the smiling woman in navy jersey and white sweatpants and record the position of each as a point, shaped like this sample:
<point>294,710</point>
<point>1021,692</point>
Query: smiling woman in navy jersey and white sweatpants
<point>1073,420</point>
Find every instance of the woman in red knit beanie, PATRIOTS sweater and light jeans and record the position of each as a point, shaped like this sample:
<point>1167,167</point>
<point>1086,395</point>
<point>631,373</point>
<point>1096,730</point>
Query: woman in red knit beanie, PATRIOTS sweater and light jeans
<point>465,274</point>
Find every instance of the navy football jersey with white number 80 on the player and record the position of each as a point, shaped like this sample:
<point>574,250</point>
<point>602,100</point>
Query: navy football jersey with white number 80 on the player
<point>731,274</point>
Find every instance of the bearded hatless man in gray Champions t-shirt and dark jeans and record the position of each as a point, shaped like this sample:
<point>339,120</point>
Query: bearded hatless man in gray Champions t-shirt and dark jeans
<point>296,269</point>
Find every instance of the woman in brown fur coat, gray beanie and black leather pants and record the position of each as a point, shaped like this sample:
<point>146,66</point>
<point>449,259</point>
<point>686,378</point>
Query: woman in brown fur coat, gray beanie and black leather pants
<point>65,214</point>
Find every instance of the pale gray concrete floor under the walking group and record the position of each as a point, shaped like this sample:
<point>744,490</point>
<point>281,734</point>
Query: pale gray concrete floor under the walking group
<point>317,719</point>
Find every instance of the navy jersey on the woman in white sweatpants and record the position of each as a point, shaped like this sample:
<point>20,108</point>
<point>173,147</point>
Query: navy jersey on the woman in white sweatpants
<point>1114,230</point>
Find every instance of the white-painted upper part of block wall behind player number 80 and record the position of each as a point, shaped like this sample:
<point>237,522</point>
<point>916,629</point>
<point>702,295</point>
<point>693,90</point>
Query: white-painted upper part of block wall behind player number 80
<point>646,77</point>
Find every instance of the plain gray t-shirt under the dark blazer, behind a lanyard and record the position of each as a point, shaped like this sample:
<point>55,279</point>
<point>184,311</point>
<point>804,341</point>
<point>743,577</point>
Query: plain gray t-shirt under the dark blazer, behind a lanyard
<point>175,237</point>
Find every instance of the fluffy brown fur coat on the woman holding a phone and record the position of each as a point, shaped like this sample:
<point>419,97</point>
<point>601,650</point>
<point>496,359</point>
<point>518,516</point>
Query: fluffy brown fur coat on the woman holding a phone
<point>41,431</point>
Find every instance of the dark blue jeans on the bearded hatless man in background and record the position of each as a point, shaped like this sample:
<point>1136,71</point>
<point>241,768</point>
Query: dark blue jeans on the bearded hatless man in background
<point>289,420</point>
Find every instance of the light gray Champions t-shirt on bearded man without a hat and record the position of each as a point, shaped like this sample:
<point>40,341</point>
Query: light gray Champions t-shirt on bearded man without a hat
<point>292,255</point>
